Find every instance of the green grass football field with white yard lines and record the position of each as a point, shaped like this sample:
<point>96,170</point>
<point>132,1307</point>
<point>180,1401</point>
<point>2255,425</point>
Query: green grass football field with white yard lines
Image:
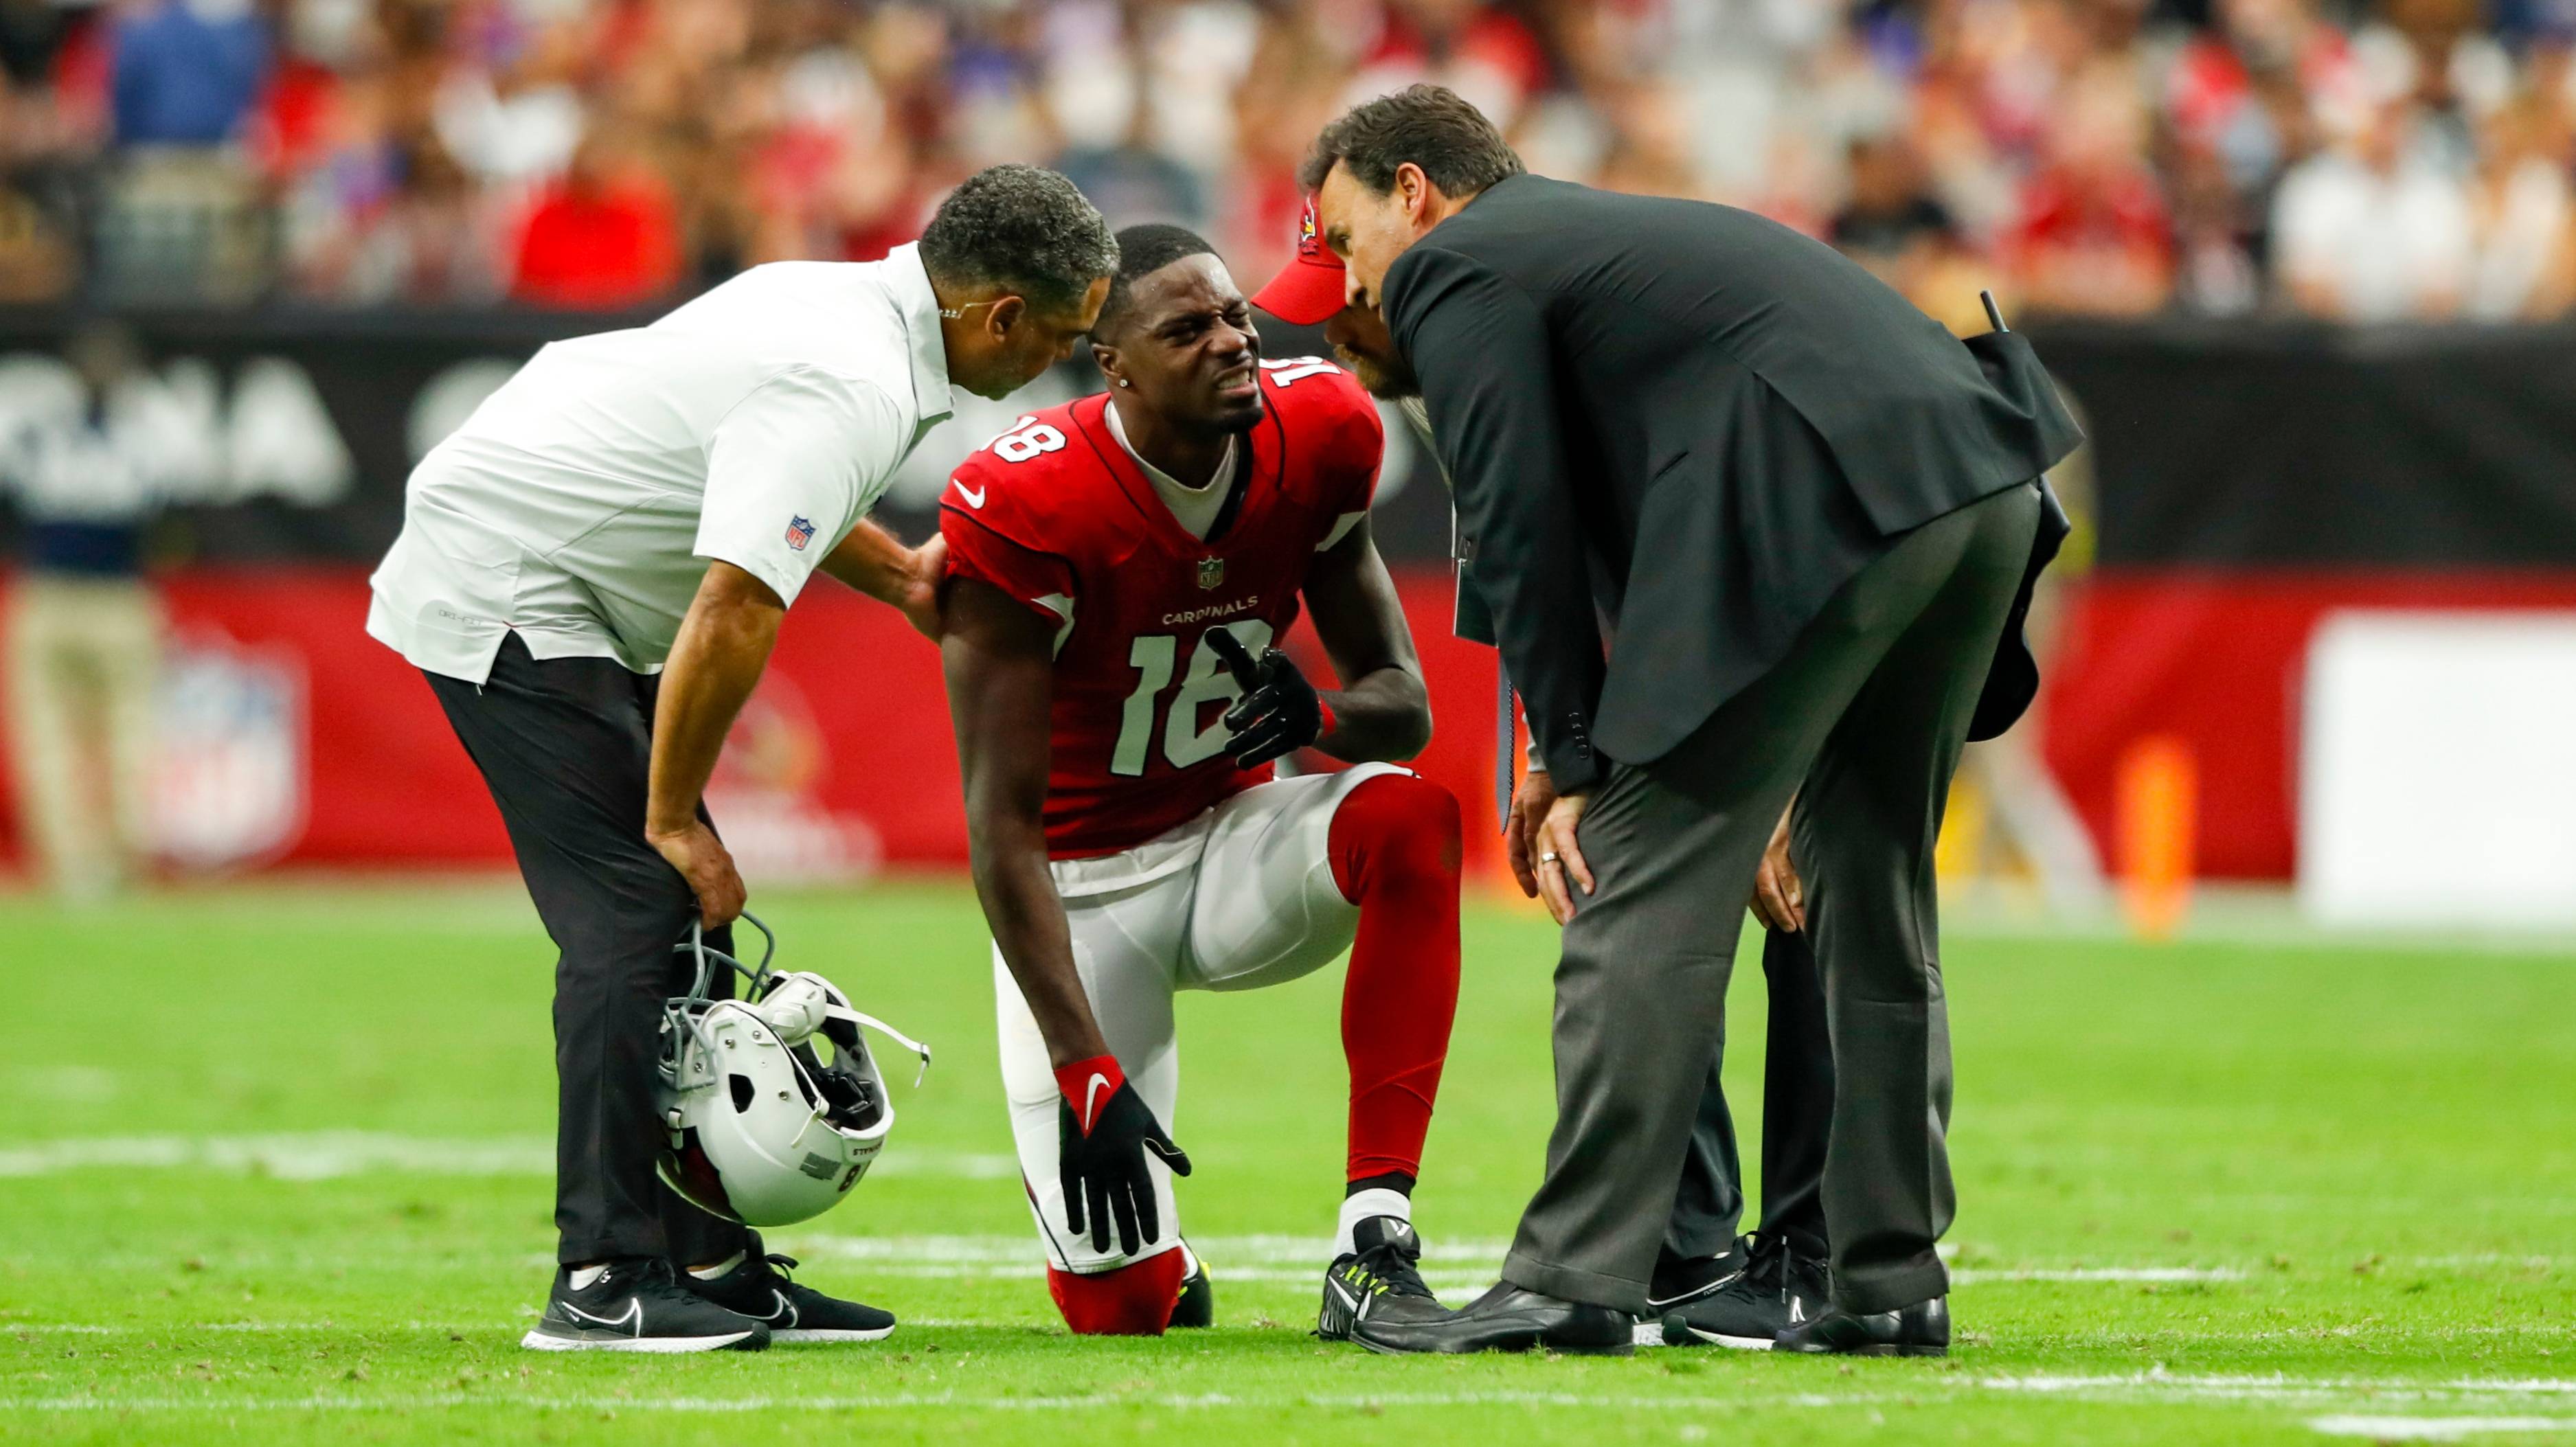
<point>277,1173</point>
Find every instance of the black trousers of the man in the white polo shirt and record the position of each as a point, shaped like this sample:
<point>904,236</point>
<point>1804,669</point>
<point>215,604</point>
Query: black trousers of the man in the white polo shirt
<point>565,748</point>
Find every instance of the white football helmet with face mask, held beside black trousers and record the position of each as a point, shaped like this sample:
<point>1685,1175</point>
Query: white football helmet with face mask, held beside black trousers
<point>764,1126</point>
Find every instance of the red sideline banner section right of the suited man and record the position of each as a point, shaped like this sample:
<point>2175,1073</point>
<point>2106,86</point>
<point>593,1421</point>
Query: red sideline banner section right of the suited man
<point>2217,660</point>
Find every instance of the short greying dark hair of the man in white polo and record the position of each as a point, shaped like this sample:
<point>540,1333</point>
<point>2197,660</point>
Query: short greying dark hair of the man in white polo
<point>1024,230</point>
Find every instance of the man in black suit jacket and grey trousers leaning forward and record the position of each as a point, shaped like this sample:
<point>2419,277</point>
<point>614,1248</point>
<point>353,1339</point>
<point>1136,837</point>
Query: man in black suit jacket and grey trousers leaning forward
<point>1810,519</point>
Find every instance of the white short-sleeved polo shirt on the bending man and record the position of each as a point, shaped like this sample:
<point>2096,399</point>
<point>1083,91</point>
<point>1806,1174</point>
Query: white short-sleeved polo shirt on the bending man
<point>581,503</point>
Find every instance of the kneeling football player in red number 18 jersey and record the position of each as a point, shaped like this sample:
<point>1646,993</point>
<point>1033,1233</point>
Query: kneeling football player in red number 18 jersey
<point>1119,573</point>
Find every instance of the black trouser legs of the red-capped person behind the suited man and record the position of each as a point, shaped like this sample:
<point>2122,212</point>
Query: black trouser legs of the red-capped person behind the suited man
<point>1797,1121</point>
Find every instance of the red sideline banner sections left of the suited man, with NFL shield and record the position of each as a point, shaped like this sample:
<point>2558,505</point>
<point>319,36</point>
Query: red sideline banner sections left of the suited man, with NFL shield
<point>295,738</point>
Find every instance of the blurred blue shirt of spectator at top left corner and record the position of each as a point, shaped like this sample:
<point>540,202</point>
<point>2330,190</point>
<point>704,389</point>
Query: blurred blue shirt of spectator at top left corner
<point>187,71</point>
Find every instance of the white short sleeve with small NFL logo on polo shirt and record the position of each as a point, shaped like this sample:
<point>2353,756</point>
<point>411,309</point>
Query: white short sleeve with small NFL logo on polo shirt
<point>792,470</point>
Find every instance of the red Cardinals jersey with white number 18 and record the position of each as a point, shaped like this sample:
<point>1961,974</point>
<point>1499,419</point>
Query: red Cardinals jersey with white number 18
<point>1063,519</point>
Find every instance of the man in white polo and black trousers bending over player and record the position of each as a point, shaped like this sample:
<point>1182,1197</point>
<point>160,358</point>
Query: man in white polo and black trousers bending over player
<point>591,575</point>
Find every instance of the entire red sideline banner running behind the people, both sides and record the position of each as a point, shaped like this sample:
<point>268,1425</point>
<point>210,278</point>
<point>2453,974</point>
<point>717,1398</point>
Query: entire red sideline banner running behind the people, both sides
<point>295,738</point>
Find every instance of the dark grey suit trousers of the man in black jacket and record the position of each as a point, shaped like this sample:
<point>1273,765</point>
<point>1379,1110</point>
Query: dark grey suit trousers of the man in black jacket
<point>1864,722</point>
